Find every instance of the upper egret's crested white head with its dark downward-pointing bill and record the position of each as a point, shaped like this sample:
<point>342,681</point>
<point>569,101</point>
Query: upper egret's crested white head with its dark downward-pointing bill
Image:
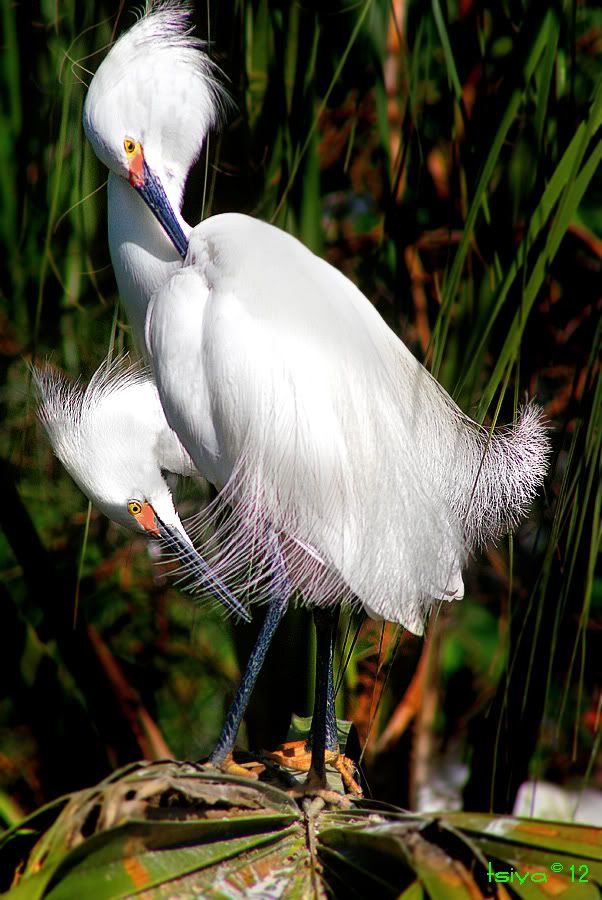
<point>150,105</point>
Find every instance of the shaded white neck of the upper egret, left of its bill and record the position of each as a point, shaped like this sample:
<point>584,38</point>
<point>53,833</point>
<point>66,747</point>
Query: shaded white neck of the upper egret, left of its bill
<point>142,254</point>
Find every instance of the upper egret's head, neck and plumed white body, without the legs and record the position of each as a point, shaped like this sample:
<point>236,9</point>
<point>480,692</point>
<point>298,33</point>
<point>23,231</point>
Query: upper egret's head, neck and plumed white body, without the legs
<point>337,451</point>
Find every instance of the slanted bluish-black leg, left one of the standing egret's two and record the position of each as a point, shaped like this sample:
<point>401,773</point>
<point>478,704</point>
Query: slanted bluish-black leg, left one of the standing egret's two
<point>279,591</point>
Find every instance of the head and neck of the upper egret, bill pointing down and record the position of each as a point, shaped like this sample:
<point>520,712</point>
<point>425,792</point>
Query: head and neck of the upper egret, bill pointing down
<point>156,88</point>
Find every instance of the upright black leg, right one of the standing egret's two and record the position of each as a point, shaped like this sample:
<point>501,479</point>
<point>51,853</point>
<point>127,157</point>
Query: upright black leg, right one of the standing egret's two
<point>324,724</point>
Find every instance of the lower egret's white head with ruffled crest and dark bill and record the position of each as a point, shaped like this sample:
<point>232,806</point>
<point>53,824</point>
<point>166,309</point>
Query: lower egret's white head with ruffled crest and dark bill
<point>114,440</point>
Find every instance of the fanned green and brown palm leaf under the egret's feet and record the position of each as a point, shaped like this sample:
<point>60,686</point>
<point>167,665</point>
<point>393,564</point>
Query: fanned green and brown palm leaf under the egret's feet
<point>174,830</point>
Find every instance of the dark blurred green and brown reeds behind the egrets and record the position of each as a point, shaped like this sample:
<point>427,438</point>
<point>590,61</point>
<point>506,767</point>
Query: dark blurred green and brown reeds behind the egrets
<point>445,156</point>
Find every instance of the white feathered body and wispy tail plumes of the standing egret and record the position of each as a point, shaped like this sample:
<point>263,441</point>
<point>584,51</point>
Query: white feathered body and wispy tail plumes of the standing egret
<point>320,422</point>
